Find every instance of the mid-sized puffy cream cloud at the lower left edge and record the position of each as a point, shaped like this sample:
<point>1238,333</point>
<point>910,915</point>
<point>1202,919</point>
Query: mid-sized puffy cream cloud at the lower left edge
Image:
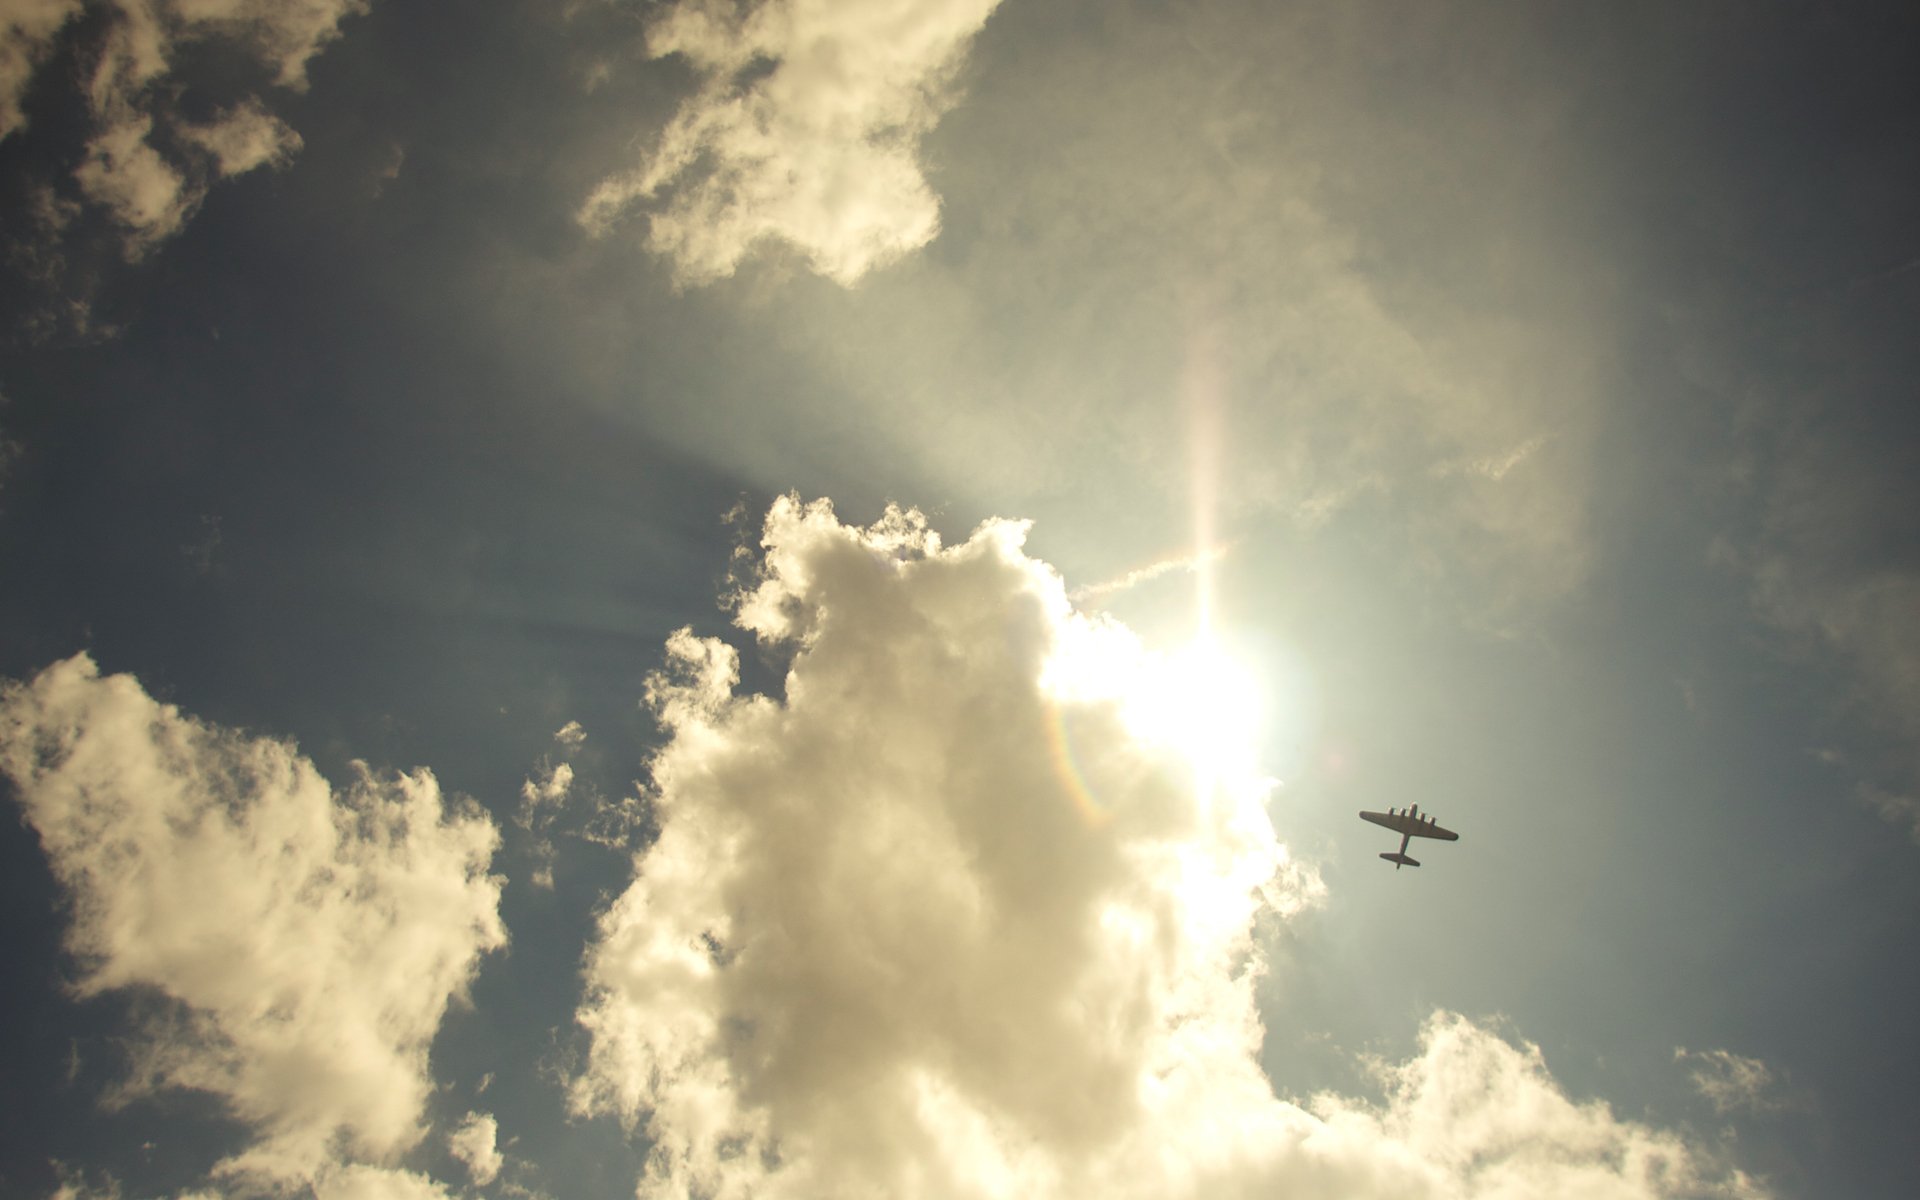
<point>306,940</point>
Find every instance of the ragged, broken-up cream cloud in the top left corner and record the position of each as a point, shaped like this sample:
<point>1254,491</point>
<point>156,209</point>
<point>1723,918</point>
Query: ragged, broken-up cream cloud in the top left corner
<point>147,164</point>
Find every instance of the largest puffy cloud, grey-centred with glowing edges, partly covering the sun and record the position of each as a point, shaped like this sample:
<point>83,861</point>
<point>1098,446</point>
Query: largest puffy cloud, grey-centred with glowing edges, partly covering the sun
<point>946,923</point>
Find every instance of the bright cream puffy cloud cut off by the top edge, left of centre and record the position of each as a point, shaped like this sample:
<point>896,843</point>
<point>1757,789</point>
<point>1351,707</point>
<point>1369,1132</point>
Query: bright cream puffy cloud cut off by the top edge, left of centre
<point>805,130</point>
